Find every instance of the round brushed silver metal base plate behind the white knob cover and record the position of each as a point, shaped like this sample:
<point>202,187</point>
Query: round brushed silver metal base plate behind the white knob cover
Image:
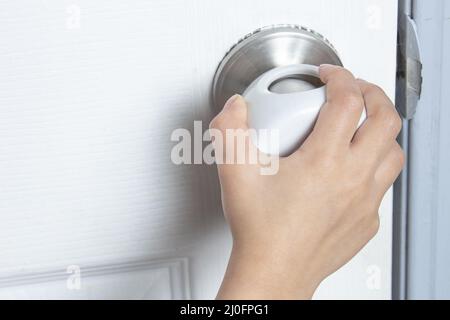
<point>264,49</point>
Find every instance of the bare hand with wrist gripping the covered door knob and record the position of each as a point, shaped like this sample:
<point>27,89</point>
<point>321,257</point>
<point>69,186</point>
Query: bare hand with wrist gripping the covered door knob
<point>293,229</point>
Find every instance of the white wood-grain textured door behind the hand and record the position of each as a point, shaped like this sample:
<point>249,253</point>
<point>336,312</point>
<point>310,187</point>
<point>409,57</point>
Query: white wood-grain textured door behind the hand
<point>90,91</point>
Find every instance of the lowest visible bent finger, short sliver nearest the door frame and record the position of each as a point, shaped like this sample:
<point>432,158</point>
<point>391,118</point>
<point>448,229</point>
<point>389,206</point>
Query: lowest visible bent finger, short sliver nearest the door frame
<point>390,168</point>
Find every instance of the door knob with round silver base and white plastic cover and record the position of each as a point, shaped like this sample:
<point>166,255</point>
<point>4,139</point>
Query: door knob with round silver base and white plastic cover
<point>276,71</point>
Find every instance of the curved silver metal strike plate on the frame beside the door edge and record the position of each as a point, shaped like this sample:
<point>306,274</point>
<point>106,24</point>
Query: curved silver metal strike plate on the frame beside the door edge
<point>409,67</point>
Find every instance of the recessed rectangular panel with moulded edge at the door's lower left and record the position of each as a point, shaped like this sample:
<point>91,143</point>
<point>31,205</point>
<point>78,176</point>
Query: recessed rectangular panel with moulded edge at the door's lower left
<point>161,279</point>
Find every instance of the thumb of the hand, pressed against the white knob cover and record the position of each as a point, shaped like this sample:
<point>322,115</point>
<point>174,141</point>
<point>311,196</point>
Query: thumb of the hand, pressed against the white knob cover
<point>231,136</point>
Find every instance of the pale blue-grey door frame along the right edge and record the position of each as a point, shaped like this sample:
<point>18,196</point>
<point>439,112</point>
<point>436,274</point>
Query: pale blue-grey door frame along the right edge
<point>421,241</point>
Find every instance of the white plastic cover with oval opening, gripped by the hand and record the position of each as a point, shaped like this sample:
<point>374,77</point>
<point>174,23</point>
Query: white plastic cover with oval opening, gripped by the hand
<point>290,115</point>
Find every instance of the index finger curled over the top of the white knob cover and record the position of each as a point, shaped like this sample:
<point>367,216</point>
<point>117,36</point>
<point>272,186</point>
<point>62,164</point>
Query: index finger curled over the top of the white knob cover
<point>339,117</point>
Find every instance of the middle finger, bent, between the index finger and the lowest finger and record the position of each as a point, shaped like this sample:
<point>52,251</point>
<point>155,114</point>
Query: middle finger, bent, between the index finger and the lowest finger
<point>382,126</point>
